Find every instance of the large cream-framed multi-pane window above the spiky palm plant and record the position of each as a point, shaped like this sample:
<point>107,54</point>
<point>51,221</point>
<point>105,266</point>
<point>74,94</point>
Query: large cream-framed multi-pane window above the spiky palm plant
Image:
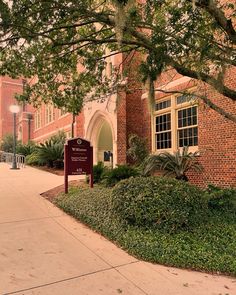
<point>176,123</point>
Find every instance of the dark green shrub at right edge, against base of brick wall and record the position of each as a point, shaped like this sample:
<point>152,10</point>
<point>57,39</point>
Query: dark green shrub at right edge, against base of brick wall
<point>221,198</point>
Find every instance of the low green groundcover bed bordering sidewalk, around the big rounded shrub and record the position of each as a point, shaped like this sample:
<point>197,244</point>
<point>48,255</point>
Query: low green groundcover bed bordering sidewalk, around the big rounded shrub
<point>210,246</point>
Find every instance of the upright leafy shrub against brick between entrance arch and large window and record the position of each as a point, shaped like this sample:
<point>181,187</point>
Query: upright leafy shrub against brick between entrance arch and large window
<point>137,149</point>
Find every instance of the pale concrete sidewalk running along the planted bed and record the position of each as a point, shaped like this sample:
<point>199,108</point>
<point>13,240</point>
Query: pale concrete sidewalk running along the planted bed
<point>44,251</point>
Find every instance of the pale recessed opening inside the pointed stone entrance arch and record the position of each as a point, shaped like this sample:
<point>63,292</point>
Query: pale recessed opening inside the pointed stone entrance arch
<point>105,144</point>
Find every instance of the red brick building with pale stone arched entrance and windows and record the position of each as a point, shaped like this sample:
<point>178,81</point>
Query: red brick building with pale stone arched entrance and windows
<point>175,121</point>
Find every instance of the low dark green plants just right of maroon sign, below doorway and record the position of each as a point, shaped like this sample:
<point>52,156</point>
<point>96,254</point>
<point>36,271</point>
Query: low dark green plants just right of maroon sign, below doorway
<point>112,176</point>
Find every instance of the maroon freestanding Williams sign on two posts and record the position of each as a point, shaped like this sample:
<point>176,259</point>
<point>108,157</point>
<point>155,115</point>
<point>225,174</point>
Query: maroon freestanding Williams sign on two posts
<point>78,159</point>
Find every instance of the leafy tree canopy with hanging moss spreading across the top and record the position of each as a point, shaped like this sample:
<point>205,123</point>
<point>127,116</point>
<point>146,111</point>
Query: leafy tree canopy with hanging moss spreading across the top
<point>49,38</point>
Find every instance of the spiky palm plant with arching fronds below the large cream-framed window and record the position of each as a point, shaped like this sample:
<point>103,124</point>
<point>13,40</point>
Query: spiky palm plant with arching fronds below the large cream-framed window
<point>176,164</point>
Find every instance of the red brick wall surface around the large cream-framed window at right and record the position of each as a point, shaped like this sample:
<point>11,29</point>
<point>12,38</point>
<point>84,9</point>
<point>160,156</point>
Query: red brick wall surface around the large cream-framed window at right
<point>217,135</point>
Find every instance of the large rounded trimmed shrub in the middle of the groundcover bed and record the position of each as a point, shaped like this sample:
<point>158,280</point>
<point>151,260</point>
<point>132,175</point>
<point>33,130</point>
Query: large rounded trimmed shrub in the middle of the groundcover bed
<point>159,201</point>
